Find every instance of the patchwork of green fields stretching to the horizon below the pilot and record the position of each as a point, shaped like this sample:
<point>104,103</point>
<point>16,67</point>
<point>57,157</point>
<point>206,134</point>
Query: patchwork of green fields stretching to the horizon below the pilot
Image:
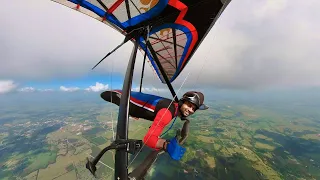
<point>231,140</point>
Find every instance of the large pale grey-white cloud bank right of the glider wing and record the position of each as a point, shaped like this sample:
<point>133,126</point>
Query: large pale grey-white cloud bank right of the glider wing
<point>244,50</point>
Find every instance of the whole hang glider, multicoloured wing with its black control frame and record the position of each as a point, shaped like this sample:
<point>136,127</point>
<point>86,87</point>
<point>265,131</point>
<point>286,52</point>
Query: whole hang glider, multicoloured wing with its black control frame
<point>168,32</point>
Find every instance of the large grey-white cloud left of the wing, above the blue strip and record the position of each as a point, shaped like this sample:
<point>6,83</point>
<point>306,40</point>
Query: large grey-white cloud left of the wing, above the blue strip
<point>28,52</point>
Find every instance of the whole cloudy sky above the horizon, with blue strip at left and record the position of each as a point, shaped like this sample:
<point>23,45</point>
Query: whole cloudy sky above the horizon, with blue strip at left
<point>254,46</point>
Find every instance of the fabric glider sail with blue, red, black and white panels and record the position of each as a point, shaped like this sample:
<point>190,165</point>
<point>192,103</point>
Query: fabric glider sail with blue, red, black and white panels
<point>177,26</point>
